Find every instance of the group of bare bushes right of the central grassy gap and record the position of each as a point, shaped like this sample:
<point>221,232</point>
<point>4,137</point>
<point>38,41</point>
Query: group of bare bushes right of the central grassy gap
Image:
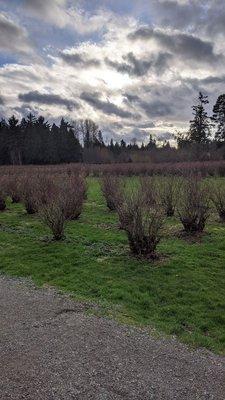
<point>143,206</point>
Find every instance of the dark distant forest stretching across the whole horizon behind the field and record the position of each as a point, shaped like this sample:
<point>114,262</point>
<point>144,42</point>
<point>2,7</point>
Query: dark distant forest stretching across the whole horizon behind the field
<point>34,141</point>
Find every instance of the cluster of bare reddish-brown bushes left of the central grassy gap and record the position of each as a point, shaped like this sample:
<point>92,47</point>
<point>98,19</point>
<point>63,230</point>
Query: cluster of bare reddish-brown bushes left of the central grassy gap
<point>55,200</point>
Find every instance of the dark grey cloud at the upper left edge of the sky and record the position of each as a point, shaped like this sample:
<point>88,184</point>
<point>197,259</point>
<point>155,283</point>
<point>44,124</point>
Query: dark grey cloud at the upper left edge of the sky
<point>13,38</point>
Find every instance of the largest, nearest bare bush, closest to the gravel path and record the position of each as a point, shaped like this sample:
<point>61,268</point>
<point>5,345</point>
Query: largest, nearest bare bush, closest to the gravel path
<point>141,222</point>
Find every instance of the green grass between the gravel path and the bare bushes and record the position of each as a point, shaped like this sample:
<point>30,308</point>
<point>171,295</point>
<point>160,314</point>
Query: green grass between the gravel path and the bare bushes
<point>183,294</point>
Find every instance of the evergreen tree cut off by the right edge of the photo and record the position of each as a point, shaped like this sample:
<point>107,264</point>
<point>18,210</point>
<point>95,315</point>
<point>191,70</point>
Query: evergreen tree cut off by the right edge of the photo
<point>218,118</point>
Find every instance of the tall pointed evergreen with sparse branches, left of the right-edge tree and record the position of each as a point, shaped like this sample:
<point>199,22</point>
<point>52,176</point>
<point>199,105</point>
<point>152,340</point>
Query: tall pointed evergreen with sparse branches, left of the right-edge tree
<point>200,125</point>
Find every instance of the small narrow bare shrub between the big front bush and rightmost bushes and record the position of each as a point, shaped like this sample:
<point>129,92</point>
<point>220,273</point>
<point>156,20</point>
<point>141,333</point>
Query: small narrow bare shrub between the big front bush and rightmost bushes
<point>168,191</point>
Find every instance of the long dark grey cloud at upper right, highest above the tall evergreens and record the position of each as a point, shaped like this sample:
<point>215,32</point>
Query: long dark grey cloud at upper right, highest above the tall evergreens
<point>182,44</point>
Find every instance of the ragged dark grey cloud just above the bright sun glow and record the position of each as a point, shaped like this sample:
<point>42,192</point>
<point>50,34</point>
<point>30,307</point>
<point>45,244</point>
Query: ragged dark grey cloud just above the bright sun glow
<point>137,67</point>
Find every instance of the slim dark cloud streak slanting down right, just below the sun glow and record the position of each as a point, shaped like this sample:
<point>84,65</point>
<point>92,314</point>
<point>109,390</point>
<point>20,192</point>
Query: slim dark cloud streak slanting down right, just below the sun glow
<point>106,106</point>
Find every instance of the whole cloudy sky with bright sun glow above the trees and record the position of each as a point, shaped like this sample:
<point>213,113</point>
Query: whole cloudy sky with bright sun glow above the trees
<point>133,66</point>
